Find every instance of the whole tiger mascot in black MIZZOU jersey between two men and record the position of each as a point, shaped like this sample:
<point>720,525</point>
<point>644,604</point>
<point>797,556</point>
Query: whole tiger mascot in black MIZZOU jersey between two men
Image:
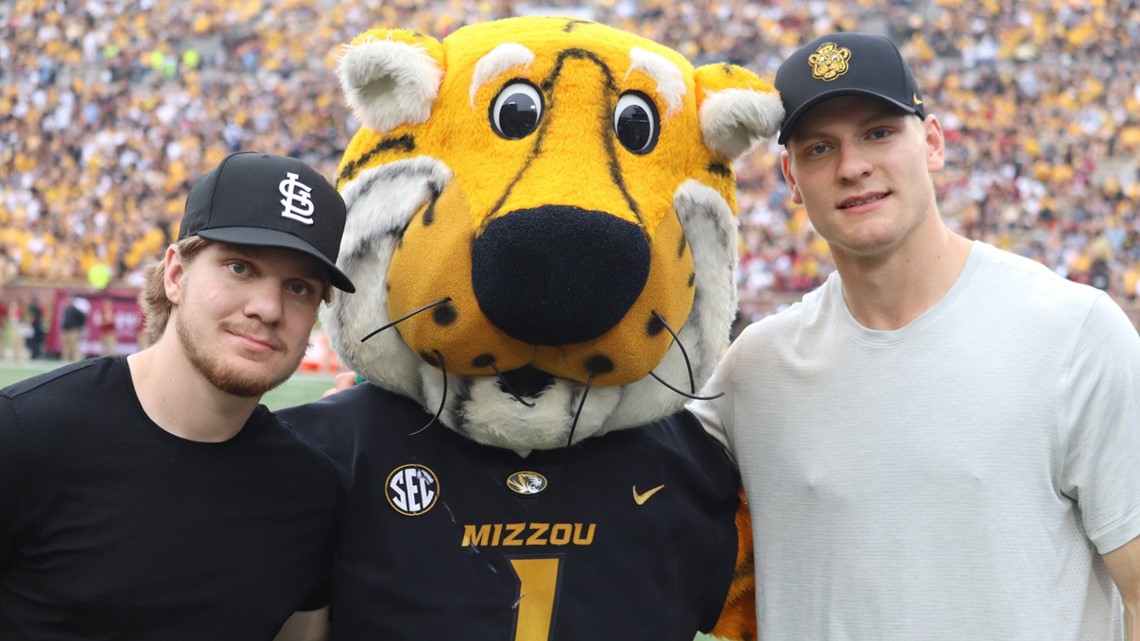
<point>542,231</point>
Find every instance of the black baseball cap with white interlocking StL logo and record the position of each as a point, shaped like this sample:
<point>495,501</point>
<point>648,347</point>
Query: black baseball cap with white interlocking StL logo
<point>254,199</point>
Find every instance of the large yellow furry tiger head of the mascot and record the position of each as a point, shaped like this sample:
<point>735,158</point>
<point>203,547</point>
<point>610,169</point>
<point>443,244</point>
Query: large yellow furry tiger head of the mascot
<point>542,224</point>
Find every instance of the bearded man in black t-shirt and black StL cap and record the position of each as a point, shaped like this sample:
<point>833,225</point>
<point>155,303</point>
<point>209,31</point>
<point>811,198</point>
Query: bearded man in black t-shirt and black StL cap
<point>151,497</point>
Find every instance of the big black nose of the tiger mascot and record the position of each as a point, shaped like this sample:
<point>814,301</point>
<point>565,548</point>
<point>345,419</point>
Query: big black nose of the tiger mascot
<point>559,275</point>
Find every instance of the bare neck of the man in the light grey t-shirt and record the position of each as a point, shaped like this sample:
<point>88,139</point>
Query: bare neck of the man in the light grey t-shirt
<point>891,291</point>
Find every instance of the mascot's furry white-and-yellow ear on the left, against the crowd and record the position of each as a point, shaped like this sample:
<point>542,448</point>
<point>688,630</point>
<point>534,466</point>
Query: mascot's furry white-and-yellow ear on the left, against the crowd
<point>392,77</point>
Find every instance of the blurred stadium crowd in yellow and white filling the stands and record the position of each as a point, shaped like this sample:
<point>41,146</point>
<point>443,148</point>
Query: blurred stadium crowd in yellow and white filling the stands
<point>110,108</point>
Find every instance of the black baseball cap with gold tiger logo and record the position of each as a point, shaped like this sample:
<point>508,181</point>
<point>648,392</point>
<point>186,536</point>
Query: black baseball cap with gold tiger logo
<point>845,64</point>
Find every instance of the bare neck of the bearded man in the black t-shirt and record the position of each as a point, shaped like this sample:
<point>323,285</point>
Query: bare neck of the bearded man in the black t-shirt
<point>178,400</point>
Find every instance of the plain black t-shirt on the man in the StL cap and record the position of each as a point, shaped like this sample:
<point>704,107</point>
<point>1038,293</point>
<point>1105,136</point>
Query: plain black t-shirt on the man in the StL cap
<point>115,529</point>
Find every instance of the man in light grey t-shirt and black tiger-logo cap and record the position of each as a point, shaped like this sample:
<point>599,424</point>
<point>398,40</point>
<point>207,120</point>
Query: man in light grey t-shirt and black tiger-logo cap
<point>943,441</point>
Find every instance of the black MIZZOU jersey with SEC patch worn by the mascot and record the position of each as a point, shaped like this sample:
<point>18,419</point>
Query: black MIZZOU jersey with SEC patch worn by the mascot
<point>445,539</point>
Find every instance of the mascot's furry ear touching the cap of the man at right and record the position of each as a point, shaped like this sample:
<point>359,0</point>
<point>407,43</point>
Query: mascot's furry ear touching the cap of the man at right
<point>737,109</point>
